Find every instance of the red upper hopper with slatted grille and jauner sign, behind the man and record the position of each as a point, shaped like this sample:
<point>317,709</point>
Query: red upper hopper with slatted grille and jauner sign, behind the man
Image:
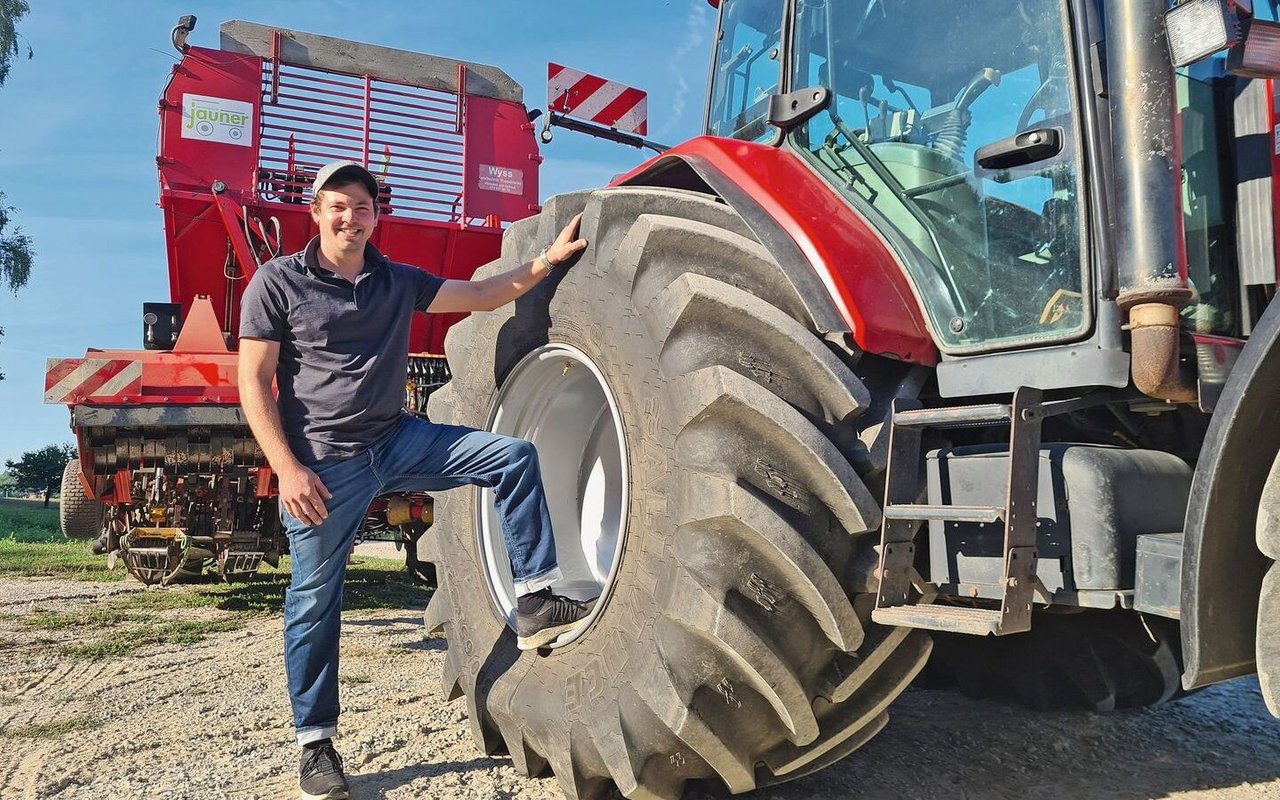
<point>225,200</point>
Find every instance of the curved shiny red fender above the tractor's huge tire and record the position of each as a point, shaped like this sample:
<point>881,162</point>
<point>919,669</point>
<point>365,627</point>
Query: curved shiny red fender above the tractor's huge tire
<point>867,284</point>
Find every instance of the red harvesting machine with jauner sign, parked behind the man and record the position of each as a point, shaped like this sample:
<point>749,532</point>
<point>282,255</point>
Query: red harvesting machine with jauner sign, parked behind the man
<point>168,476</point>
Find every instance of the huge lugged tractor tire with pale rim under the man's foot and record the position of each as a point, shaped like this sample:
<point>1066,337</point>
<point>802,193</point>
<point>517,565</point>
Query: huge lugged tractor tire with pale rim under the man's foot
<point>698,441</point>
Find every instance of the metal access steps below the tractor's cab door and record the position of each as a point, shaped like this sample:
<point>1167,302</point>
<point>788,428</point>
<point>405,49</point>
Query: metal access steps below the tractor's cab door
<point>898,600</point>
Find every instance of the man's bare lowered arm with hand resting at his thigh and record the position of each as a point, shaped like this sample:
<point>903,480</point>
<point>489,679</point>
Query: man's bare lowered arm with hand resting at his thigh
<point>301,492</point>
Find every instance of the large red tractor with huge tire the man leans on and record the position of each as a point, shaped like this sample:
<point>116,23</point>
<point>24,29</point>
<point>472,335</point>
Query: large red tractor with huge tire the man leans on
<point>954,335</point>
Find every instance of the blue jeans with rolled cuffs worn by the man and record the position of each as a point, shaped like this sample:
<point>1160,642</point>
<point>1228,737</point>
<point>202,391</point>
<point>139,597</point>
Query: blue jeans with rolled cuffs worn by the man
<point>418,456</point>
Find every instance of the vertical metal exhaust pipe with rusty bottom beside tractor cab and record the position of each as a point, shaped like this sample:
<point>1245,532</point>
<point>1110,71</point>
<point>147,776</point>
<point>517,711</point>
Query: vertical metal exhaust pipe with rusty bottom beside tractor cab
<point>1151,275</point>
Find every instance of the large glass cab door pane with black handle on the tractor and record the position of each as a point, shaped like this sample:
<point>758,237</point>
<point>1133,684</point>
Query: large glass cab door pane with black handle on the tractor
<point>925,95</point>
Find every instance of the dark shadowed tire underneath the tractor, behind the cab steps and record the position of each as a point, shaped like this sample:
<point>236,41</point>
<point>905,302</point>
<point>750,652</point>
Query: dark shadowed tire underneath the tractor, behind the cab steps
<point>1098,661</point>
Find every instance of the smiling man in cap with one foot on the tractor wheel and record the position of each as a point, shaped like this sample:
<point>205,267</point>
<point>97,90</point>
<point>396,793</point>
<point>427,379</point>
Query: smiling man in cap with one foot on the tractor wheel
<point>331,326</point>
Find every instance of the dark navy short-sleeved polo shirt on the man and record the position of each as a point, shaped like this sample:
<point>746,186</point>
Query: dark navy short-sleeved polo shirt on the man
<point>344,346</point>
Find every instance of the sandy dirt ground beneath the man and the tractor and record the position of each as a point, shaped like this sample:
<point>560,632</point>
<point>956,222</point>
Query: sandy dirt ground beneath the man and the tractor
<point>211,720</point>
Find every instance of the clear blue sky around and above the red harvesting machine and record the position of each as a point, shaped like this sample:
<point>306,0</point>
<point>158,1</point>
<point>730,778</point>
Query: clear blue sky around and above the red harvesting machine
<point>79,138</point>
